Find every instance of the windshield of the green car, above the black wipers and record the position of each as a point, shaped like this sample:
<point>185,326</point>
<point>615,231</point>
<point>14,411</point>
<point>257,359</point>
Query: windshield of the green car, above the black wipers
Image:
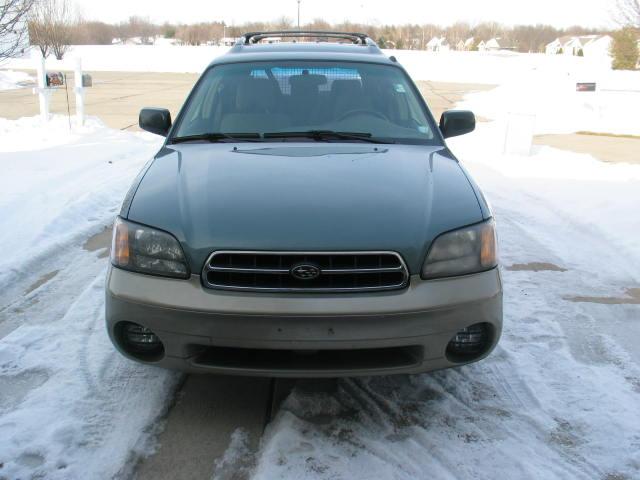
<point>295,96</point>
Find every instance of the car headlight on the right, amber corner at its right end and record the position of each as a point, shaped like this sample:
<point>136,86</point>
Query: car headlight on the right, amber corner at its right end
<point>461,252</point>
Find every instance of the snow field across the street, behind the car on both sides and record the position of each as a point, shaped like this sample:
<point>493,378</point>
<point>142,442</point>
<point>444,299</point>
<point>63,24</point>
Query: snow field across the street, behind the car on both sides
<point>535,84</point>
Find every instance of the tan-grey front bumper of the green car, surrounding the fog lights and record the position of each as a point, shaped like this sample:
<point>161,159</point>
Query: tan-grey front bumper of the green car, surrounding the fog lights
<point>405,331</point>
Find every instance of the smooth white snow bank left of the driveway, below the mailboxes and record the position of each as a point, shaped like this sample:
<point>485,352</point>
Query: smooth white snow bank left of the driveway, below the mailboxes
<point>60,183</point>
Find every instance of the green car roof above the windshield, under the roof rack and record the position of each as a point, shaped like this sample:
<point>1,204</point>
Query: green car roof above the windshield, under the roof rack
<point>320,51</point>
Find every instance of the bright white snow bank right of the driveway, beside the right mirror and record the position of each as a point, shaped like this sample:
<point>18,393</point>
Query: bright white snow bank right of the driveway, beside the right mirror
<point>599,196</point>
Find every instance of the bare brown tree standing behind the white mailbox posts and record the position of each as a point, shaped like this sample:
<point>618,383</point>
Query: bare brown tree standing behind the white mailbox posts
<point>52,26</point>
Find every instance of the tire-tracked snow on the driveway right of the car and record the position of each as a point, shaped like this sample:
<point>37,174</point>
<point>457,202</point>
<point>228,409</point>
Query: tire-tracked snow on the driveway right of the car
<point>531,410</point>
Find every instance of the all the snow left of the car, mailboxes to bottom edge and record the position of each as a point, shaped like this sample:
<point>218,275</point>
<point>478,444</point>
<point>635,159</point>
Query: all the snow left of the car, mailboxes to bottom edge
<point>70,406</point>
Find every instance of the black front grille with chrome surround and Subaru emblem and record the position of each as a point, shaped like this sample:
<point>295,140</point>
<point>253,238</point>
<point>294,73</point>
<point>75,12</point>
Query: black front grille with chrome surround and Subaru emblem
<point>305,271</point>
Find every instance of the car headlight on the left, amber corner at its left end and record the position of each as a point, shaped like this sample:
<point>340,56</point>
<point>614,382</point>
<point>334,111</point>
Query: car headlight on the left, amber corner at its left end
<point>147,250</point>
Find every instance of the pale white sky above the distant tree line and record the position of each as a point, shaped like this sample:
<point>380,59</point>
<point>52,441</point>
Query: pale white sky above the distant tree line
<point>559,13</point>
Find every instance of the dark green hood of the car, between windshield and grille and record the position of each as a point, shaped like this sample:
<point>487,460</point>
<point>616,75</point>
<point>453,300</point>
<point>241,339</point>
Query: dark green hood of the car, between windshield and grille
<point>304,197</point>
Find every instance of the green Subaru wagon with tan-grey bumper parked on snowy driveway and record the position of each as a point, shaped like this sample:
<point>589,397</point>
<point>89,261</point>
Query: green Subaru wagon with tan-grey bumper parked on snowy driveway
<point>304,218</point>
